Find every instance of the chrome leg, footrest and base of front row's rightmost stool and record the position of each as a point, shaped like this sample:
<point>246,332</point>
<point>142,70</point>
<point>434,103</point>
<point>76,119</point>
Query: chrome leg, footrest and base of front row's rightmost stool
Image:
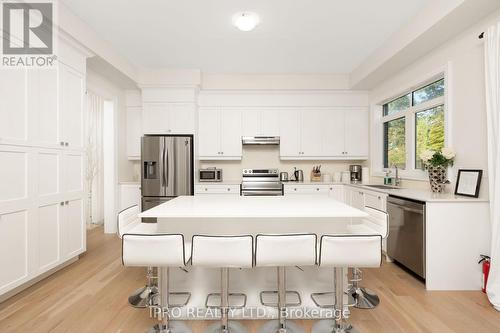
<point>339,323</point>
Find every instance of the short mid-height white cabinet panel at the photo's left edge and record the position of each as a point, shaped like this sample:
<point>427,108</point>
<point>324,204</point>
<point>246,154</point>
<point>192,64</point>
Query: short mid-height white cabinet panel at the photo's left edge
<point>14,175</point>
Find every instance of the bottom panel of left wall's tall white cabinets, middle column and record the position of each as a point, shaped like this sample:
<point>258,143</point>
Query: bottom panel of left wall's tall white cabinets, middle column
<point>49,219</point>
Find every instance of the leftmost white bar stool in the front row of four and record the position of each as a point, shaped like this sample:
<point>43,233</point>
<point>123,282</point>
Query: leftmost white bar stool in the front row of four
<point>162,251</point>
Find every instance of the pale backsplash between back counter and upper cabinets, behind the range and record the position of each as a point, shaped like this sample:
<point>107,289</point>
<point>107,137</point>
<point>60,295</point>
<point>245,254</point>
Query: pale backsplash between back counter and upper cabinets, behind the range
<point>268,157</point>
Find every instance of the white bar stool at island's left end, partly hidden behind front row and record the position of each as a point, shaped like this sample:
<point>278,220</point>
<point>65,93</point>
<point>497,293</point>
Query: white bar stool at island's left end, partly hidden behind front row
<point>129,222</point>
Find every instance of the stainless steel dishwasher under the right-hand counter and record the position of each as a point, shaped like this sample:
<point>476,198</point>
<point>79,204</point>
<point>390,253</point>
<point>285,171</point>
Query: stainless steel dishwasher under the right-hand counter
<point>406,240</point>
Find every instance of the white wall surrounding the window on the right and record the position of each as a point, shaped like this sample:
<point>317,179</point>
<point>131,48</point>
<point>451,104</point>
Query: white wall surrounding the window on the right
<point>463,56</point>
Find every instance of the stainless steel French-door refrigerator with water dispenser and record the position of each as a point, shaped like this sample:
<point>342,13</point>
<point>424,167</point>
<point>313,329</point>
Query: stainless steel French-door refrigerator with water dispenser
<point>166,169</point>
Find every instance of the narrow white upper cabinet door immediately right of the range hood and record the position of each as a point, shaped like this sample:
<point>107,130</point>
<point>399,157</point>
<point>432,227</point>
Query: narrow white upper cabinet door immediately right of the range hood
<point>289,133</point>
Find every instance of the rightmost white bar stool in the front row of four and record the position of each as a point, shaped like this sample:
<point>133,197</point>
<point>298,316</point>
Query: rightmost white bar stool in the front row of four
<point>342,252</point>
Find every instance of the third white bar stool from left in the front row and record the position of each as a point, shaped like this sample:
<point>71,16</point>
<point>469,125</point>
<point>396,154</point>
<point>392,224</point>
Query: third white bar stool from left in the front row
<point>283,251</point>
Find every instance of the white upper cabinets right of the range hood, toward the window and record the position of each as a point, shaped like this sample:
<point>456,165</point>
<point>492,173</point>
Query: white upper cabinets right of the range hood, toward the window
<point>333,133</point>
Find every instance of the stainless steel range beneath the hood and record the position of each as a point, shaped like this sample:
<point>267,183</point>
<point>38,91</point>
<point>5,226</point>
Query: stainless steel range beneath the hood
<point>263,182</point>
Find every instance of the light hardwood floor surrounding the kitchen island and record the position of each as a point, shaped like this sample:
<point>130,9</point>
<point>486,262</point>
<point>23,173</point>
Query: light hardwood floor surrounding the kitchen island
<point>91,296</point>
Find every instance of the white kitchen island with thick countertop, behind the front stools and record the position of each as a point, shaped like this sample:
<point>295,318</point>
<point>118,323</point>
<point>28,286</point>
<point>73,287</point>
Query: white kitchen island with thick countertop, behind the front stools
<point>227,215</point>
